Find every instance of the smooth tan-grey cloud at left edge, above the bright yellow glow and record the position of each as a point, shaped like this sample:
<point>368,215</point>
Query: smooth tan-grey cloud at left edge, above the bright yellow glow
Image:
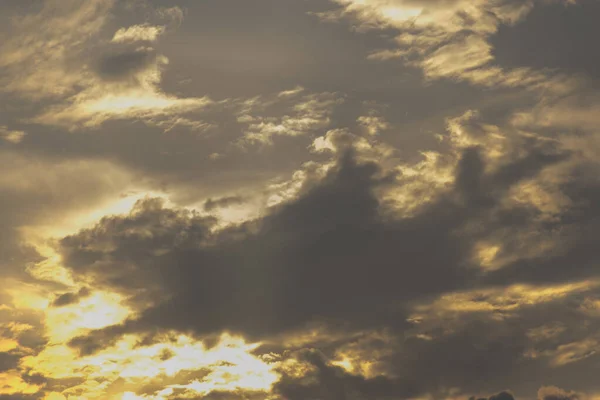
<point>45,196</point>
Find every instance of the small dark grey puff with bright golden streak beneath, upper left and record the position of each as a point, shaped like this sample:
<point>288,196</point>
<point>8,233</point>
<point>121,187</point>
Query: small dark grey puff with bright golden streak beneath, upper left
<point>126,87</point>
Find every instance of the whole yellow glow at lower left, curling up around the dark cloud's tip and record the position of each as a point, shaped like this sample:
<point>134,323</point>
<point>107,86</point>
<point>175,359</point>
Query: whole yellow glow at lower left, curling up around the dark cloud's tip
<point>230,364</point>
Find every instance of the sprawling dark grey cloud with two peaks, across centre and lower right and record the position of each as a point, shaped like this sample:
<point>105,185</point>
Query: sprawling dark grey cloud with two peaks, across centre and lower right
<point>334,254</point>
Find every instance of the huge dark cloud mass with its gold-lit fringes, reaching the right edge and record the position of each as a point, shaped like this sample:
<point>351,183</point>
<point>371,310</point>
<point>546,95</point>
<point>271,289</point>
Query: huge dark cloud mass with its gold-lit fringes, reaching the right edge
<point>277,275</point>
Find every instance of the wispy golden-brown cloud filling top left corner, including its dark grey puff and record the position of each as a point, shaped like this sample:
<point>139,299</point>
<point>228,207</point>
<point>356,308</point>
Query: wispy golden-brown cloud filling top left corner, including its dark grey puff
<point>48,55</point>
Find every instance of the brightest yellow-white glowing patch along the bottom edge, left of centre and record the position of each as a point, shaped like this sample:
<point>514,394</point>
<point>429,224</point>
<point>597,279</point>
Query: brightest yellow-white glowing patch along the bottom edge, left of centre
<point>230,363</point>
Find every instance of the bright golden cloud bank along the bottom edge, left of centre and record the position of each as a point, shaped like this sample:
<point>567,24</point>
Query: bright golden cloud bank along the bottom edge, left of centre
<point>176,367</point>
